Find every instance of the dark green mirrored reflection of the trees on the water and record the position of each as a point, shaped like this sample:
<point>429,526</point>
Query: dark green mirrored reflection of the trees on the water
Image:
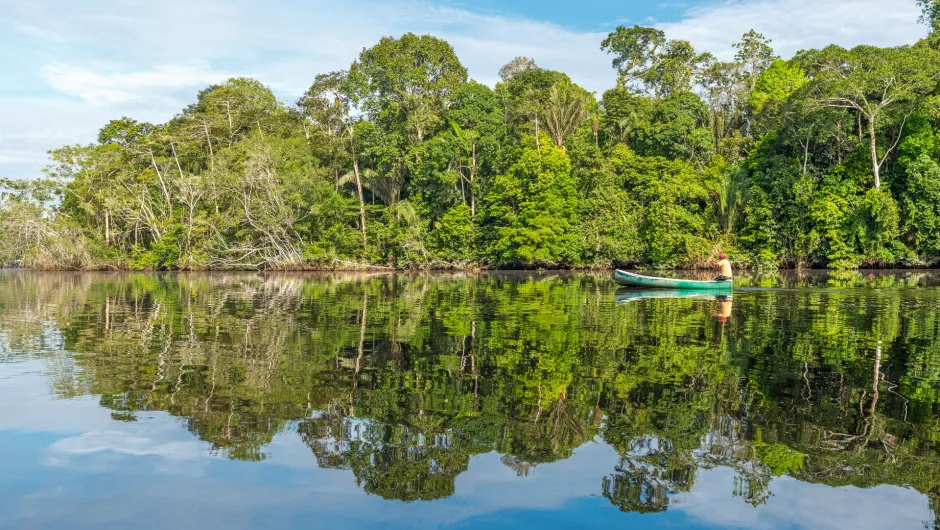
<point>400,381</point>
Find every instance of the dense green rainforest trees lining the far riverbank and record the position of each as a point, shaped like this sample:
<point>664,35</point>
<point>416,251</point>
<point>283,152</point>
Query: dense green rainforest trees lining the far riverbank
<point>828,159</point>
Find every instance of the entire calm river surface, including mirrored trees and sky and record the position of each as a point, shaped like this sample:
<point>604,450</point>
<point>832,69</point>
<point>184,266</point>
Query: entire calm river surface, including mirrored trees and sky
<point>453,400</point>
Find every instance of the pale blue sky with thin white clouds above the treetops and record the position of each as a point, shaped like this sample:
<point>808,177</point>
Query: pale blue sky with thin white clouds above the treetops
<point>71,66</point>
